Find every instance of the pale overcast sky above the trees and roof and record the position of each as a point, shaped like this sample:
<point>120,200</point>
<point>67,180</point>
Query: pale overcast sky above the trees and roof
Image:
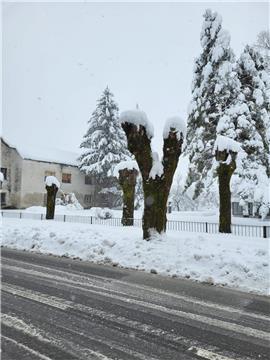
<point>59,57</point>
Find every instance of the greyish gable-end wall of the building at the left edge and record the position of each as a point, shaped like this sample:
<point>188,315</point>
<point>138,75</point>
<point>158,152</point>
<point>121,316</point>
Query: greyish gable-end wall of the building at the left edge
<point>11,187</point>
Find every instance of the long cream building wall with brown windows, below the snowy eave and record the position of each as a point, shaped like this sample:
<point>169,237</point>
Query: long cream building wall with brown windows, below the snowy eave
<point>33,190</point>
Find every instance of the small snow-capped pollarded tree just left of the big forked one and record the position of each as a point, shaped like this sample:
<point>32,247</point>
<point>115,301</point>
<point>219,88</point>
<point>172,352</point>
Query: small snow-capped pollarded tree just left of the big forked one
<point>127,172</point>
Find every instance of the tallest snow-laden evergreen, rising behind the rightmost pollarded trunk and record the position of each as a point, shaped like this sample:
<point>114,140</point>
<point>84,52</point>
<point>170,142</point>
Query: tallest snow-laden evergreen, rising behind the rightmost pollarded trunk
<point>214,87</point>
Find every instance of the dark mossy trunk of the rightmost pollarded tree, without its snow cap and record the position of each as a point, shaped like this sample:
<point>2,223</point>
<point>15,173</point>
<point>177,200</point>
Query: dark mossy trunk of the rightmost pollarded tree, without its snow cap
<point>225,171</point>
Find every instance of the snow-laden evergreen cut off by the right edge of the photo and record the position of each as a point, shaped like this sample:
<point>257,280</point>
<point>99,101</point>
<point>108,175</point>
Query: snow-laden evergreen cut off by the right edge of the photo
<point>252,122</point>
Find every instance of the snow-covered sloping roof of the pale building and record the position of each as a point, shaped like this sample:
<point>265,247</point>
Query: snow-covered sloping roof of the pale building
<point>46,154</point>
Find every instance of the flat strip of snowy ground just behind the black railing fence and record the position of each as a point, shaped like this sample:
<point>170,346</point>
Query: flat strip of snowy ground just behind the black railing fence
<point>210,216</point>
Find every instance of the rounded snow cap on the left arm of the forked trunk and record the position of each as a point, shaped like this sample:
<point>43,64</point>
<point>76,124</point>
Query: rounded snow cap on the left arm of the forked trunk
<point>137,117</point>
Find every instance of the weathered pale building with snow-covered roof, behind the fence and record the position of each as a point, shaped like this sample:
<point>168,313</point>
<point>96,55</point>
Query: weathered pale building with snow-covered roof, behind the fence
<point>24,172</point>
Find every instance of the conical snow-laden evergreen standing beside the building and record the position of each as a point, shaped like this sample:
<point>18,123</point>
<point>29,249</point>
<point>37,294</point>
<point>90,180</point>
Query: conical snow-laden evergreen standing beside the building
<point>104,143</point>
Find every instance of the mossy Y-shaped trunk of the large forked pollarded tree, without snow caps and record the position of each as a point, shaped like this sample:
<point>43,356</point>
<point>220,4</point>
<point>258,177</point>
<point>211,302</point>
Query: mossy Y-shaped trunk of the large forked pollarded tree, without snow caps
<point>156,191</point>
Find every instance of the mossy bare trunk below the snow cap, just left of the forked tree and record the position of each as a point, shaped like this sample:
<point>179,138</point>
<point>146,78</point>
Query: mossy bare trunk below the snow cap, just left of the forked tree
<point>127,180</point>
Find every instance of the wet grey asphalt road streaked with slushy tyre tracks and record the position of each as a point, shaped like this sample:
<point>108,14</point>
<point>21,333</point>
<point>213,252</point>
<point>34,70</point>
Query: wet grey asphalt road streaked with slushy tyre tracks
<point>62,309</point>
